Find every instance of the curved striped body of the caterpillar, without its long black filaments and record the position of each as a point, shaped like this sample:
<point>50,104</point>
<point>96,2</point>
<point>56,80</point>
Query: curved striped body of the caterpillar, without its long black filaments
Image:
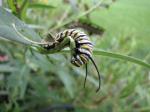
<point>83,46</point>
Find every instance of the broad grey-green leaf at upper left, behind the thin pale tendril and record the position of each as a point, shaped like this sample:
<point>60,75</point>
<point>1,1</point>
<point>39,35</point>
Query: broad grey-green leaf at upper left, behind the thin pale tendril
<point>7,30</point>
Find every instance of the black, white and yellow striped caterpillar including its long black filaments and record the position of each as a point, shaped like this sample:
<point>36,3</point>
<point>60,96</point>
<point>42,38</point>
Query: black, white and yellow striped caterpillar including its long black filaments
<point>81,53</point>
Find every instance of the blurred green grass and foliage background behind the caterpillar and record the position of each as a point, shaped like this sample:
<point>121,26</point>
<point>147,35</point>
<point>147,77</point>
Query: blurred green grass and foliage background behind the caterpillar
<point>32,82</point>
